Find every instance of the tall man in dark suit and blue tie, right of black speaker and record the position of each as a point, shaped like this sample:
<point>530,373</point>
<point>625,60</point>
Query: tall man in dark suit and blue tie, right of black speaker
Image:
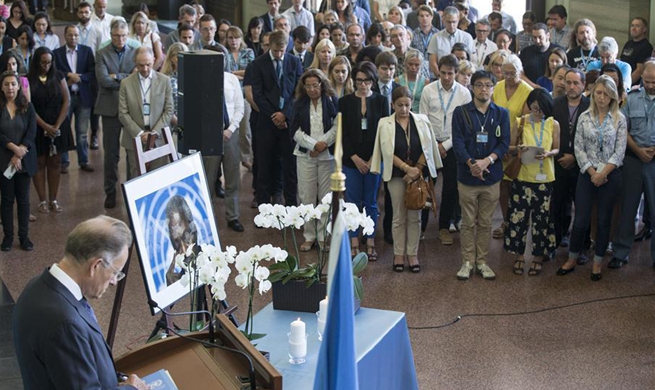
<point>274,79</point>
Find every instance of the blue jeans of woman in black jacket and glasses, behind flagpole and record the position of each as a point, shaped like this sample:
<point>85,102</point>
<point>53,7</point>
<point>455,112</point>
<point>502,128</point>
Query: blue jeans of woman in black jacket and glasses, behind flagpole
<point>362,190</point>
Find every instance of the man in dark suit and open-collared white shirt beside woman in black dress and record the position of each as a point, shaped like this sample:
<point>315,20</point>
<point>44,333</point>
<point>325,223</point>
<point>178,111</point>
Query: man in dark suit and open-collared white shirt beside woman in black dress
<point>77,62</point>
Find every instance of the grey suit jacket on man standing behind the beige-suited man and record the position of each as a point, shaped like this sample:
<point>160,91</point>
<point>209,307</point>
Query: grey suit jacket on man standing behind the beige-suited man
<point>107,62</point>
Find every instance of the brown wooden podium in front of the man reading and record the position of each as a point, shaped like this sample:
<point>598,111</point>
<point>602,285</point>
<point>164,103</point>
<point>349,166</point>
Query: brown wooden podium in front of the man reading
<point>195,366</point>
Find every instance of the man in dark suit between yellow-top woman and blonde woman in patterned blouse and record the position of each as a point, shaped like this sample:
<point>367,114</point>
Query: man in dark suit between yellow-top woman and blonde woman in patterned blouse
<point>566,111</point>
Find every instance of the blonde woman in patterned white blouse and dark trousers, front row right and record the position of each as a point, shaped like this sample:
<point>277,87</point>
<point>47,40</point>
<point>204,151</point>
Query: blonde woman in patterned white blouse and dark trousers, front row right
<point>600,143</point>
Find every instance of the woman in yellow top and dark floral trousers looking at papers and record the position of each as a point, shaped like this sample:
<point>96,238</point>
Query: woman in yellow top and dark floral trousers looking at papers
<point>531,190</point>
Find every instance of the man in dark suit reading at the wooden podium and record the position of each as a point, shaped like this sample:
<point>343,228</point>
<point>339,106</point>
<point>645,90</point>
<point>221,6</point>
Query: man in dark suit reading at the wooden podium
<point>59,344</point>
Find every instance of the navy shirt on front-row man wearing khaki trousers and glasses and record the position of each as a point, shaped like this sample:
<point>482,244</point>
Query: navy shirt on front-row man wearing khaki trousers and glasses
<point>466,147</point>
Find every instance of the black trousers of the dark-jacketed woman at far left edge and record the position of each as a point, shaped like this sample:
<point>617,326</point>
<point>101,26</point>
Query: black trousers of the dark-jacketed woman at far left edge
<point>17,188</point>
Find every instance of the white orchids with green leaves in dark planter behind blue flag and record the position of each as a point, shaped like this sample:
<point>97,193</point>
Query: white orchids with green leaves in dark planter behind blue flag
<point>291,217</point>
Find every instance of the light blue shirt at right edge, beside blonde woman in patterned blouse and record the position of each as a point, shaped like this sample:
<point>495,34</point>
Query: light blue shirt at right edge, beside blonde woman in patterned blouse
<point>640,112</point>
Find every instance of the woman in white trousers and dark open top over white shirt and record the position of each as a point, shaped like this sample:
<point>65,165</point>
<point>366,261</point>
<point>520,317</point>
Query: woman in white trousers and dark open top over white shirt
<point>312,130</point>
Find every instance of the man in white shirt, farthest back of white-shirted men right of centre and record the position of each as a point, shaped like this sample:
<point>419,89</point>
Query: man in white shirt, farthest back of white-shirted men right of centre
<point>442,43</point>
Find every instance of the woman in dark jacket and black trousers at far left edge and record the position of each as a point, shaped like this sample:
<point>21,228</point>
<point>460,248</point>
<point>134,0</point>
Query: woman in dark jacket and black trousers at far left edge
<point>17,134</point>
